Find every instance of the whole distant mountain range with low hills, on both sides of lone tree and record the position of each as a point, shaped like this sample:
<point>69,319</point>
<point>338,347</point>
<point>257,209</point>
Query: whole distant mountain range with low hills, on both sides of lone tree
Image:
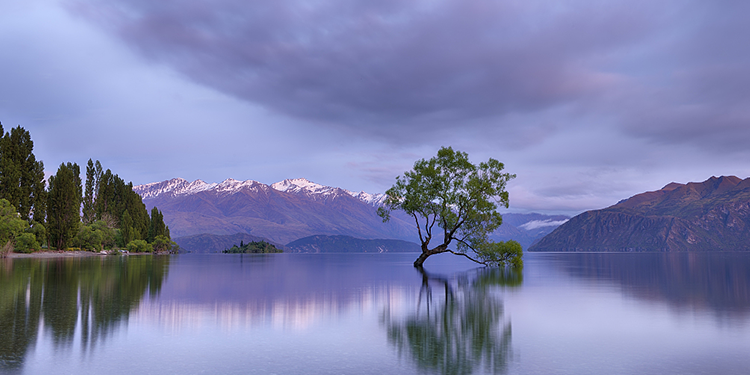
<point>208,216</point>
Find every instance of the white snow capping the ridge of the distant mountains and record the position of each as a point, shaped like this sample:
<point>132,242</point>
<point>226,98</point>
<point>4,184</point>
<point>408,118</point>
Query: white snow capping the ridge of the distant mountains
<point>179,187</point>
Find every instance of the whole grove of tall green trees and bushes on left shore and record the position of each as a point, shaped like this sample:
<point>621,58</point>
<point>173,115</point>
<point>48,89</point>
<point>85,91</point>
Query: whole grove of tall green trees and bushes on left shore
<point>102,213</point>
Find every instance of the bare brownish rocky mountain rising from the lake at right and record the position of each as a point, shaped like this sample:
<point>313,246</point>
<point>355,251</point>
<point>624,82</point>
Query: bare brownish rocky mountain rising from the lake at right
<point>713,215</point>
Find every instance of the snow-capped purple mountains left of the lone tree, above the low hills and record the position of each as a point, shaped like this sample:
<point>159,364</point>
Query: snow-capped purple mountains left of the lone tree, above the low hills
<point>282,212</point>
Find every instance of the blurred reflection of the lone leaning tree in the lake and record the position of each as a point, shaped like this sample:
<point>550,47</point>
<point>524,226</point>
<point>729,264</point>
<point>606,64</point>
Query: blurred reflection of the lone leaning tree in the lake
<point>462,330</point>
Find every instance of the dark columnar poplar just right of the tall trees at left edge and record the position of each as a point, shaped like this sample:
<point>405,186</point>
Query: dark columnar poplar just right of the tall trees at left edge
<point>63,205</point>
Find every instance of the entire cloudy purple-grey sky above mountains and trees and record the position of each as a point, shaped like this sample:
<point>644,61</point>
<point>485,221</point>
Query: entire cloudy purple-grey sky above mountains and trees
<point>587,102</point>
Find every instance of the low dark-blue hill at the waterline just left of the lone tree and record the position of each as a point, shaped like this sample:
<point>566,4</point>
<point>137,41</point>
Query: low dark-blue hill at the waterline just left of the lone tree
<point>346,244</point>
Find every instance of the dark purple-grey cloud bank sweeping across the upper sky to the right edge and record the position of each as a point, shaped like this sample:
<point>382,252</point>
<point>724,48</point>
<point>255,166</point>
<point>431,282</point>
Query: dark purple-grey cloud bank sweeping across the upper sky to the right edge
<point>669,71</point>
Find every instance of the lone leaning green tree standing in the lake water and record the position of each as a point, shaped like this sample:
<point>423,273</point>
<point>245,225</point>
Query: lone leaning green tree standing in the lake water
<point>459,198</point>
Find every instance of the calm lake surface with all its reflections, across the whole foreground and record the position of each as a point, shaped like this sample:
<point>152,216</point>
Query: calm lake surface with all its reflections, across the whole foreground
<point>686,313</point>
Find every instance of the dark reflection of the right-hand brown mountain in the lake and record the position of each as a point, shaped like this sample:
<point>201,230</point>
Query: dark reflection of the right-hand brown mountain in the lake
<point>716,283</point>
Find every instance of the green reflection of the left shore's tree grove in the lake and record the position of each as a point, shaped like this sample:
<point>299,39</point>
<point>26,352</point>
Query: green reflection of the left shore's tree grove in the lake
<point>96,294</point>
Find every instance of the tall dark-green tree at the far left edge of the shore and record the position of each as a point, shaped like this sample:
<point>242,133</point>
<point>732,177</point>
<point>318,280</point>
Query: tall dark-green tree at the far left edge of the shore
<point>21,175</point>
